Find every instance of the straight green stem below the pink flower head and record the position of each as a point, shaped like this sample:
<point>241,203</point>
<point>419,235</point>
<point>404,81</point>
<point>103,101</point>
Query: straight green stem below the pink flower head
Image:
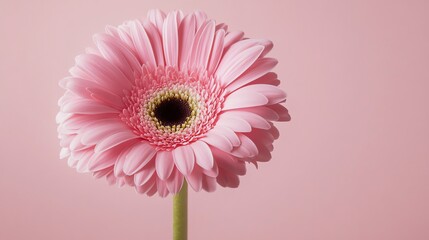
<point>180,214</point>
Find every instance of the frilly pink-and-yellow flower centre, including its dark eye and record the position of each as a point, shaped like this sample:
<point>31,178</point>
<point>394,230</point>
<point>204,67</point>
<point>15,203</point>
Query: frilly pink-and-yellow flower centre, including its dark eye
<point>170,108</point>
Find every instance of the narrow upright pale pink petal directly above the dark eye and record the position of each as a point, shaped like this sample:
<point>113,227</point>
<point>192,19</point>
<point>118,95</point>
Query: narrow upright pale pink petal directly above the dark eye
<point>170,39</point>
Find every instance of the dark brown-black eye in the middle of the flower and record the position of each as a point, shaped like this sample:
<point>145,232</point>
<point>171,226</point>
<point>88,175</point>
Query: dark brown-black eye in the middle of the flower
<point>172,111</point>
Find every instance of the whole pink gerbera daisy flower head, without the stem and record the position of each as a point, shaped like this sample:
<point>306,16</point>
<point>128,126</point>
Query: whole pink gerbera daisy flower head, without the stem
<point>170,98</point>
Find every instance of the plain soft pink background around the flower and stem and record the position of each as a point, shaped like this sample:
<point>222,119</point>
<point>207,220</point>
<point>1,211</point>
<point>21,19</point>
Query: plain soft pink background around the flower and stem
<point>353,163</point>
